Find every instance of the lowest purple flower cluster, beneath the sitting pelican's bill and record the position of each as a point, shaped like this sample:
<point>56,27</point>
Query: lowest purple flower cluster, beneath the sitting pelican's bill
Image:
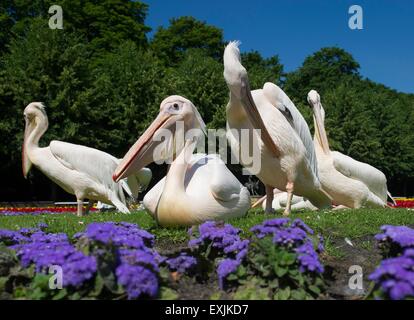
<point>137,281</point>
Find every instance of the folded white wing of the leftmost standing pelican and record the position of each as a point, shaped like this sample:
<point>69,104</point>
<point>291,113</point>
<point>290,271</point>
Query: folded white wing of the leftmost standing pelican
<point>98,165</point>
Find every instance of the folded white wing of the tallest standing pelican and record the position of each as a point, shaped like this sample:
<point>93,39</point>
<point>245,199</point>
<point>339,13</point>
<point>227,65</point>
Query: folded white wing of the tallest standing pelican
<point>281,101</point>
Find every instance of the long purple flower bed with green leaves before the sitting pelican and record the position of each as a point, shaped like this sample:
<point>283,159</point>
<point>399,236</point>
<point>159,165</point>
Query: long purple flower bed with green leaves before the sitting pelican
<point>278,260</point>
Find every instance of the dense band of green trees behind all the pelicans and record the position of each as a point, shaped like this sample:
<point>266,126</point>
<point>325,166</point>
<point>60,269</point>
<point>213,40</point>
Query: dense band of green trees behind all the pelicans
<point>102,83</point>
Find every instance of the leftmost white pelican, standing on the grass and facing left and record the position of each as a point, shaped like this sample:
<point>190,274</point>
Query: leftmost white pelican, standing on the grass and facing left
<point>79,170</point>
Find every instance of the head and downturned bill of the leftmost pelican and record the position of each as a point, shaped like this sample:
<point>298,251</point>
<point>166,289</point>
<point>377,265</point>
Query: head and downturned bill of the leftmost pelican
<point>35,117</point>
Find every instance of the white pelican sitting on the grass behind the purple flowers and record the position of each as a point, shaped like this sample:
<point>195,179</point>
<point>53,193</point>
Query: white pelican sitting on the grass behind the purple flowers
<point>197,187</point>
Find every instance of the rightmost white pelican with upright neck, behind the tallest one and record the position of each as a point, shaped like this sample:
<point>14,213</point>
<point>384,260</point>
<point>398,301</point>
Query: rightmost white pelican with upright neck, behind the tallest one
<point>349,182</point>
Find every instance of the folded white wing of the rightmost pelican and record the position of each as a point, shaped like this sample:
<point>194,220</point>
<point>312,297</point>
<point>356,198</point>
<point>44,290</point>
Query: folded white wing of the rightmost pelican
<point>373,178</point>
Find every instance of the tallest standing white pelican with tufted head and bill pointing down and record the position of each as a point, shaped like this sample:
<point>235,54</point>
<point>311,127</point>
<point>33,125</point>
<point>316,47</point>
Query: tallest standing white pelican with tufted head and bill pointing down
<point>287,155</point>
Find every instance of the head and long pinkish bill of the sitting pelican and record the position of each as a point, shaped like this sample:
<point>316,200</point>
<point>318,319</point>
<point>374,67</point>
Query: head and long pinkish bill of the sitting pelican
<point>174,110</point>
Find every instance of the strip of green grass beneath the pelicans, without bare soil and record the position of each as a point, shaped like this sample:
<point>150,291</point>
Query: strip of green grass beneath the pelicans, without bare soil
<point>357,225</point>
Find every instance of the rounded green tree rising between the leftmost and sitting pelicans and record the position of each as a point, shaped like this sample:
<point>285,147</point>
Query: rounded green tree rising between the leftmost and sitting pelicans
<point>123,98</point>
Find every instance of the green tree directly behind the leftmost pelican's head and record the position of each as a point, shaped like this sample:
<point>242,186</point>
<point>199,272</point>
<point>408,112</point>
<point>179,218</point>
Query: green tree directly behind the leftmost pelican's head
<point>47,66</point>
